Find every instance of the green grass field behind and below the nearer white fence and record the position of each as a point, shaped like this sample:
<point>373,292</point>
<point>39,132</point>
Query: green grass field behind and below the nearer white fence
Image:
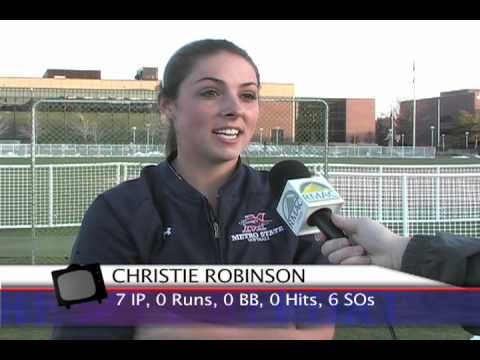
<point>53,246</point>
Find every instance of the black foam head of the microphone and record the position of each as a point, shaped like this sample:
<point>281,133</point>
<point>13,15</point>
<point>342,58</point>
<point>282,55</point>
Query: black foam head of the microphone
<point>284,171</point>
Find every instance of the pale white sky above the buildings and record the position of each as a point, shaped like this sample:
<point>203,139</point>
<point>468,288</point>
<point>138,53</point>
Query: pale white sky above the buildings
<point>346,59</point>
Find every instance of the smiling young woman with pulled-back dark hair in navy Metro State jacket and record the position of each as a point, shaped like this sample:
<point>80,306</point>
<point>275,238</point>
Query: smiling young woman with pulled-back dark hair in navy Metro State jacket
<point>201,205</point>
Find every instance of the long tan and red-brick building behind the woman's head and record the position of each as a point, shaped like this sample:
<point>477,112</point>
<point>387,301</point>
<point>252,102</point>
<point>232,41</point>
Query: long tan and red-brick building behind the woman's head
<point>283,119</point>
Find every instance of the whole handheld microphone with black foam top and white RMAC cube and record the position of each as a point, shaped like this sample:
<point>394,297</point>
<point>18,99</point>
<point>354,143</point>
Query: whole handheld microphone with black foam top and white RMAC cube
<point>305,203</point>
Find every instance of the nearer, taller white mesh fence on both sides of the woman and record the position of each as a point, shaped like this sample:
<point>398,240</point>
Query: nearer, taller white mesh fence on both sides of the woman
<point>409,200</point>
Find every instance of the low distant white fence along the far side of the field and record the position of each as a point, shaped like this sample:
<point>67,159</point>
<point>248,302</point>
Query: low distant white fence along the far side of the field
<point>254,150</point>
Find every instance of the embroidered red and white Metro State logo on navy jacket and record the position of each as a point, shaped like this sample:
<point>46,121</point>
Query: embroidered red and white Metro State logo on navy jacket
<point>255,228</point>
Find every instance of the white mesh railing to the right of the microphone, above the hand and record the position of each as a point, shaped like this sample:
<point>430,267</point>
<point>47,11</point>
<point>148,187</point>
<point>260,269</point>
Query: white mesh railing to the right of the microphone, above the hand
<point>412,203</point>
